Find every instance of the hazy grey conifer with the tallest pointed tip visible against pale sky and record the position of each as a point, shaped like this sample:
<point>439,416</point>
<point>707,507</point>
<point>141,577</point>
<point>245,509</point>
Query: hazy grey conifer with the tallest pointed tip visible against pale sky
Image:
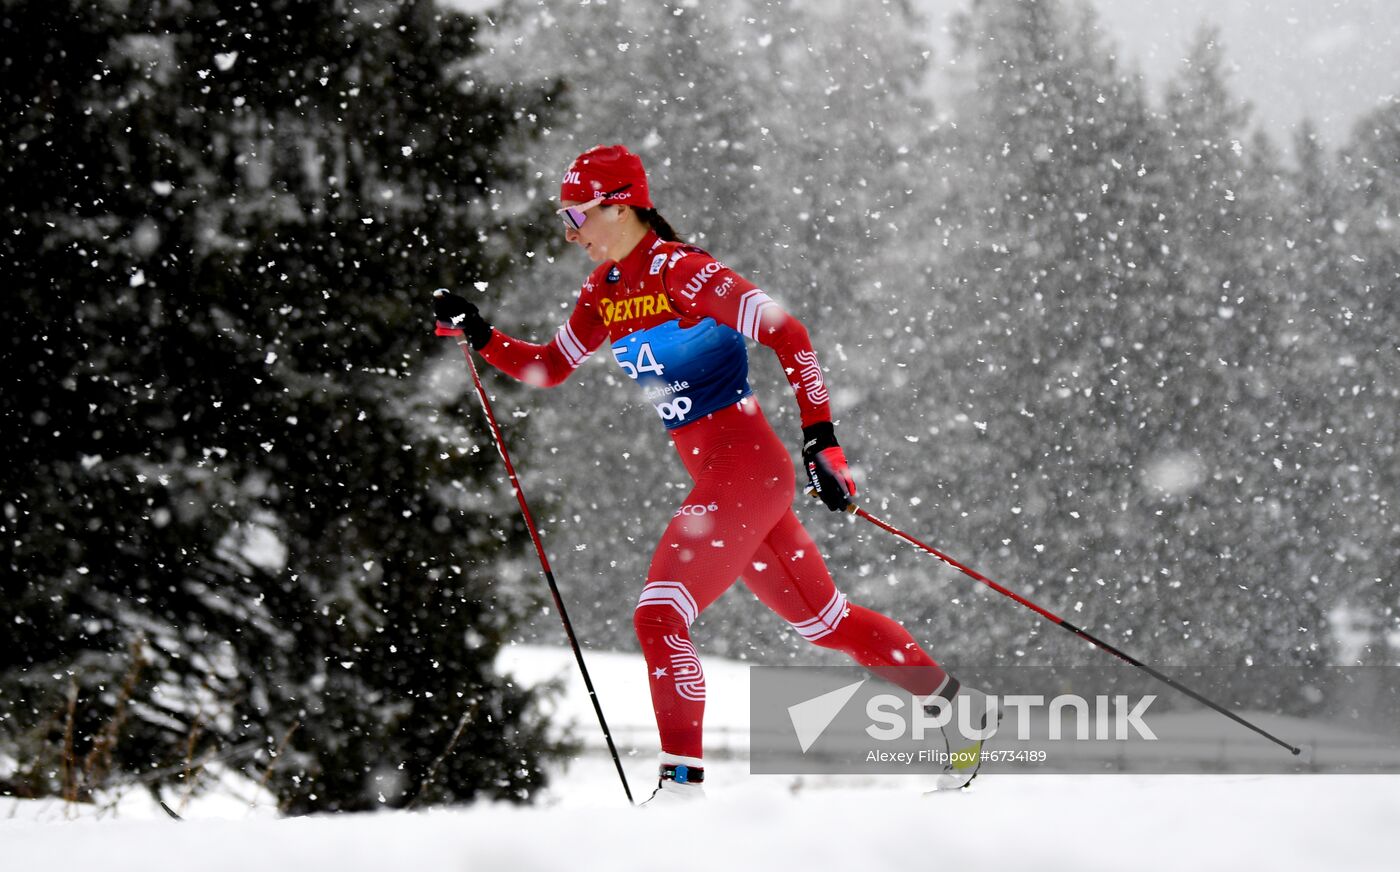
<point>1231,405</point>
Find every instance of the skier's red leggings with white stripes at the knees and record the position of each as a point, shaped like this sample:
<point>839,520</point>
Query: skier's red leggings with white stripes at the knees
<point>738,523</point>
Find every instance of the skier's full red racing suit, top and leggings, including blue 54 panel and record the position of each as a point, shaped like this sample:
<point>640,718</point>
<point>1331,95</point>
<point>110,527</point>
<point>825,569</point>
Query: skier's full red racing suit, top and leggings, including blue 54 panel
<point>673,314</point>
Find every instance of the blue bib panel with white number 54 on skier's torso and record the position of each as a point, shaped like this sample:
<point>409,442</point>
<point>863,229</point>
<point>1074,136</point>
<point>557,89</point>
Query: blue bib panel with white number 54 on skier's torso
<point>687,373</point>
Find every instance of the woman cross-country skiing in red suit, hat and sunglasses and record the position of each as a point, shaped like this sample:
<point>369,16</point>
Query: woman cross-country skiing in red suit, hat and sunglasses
<point>675,320</point>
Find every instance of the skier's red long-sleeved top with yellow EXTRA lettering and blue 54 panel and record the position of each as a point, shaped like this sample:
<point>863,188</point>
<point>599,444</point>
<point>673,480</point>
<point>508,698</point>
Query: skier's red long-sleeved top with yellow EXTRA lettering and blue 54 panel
<point>674,317</point>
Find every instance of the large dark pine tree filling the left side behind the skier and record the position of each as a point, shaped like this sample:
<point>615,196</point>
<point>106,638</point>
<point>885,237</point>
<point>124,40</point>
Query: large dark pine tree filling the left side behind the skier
<point>239,517</point>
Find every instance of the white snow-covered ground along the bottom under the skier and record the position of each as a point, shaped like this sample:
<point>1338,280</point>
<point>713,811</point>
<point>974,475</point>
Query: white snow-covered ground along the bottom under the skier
<point>752,822</point>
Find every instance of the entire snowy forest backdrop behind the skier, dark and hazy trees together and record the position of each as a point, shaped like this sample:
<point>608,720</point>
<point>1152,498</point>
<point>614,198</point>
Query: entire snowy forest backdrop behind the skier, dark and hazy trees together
<point>1112,346</point>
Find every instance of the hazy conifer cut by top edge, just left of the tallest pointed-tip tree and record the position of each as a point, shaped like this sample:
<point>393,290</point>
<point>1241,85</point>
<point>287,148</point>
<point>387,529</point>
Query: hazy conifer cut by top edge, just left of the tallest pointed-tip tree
<point>1048,251</point>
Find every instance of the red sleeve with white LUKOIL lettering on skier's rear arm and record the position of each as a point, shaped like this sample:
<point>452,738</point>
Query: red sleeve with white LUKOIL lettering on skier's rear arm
<point>702,288</point>
